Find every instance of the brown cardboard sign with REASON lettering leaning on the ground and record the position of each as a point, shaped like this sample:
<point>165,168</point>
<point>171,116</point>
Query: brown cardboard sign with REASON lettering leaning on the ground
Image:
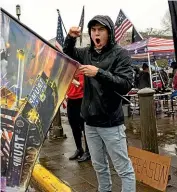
<point>150,168</point>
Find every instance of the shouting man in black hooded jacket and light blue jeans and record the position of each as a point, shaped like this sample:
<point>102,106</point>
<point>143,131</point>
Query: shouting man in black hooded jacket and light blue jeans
<point>107,70</point>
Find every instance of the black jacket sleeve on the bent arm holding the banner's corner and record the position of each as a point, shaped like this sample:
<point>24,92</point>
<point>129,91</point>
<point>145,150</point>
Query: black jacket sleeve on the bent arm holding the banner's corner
<point>120,78</point>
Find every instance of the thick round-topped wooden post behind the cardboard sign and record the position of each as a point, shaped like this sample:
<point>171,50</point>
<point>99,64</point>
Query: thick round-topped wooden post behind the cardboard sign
<point>148,120</point>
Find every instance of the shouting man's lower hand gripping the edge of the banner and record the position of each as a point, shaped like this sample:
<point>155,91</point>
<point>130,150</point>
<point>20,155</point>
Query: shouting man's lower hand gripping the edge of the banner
<point>89,70</point>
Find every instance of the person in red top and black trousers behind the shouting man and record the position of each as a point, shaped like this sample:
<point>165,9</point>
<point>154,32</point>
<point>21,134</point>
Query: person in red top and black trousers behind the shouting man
<point>75,95</point>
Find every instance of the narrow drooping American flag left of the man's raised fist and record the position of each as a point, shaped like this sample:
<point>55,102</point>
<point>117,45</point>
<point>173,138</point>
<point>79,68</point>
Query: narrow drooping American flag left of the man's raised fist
<point>59,38</point>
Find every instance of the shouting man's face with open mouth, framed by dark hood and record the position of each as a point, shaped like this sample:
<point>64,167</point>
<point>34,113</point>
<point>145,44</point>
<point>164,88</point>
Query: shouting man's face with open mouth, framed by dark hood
<point>99,35</point>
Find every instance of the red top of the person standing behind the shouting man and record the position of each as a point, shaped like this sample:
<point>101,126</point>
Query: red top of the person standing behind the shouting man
<point>75,92</point>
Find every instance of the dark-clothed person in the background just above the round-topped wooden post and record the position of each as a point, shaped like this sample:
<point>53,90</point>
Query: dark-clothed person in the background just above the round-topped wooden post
<point>144,79</point>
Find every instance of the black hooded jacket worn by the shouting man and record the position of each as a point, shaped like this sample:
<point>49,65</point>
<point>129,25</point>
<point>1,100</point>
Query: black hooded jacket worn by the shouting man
<point>101,105</point>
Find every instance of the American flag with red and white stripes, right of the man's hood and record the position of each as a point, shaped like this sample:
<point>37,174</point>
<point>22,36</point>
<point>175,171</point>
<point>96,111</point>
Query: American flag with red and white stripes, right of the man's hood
<point>121,26</point>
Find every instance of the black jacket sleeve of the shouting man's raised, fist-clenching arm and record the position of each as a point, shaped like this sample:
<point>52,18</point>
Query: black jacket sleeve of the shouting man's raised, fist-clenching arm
<point>73,52</point>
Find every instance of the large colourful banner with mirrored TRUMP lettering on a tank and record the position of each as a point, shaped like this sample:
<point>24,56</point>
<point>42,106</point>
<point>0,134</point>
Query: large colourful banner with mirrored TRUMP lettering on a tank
<point>34,80</point>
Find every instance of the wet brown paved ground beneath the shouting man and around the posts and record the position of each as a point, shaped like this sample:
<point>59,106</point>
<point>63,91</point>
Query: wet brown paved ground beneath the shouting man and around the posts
<point>81,176</point>
